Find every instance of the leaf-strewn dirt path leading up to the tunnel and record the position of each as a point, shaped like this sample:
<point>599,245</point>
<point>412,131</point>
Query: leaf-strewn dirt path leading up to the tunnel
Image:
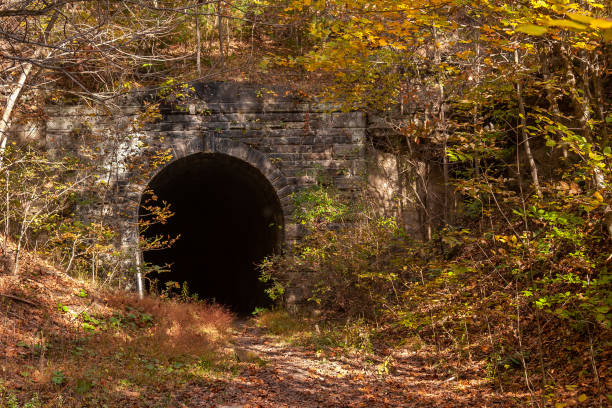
<point>282,375</point>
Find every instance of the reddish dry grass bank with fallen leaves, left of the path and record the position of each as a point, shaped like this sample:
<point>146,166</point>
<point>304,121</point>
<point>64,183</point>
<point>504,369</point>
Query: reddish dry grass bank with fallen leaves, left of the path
<point>73,344</point>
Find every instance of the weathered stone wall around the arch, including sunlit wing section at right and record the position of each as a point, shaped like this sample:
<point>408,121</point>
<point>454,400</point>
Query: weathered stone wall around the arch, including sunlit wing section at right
<point>290,141</point>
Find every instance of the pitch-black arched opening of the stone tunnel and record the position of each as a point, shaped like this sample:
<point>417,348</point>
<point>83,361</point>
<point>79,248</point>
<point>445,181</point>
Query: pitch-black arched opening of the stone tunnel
<point>227,216</point>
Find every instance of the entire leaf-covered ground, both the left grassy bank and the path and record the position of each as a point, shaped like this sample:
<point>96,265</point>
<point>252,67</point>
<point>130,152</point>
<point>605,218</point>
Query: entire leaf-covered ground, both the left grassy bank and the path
<point>67,343</point>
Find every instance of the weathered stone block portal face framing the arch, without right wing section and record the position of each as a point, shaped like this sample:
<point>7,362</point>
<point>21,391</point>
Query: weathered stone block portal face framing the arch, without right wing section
<point>288,140</point>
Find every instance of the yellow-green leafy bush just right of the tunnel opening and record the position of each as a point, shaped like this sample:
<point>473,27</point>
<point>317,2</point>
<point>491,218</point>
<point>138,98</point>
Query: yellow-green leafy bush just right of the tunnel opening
<point>350,266</point>
